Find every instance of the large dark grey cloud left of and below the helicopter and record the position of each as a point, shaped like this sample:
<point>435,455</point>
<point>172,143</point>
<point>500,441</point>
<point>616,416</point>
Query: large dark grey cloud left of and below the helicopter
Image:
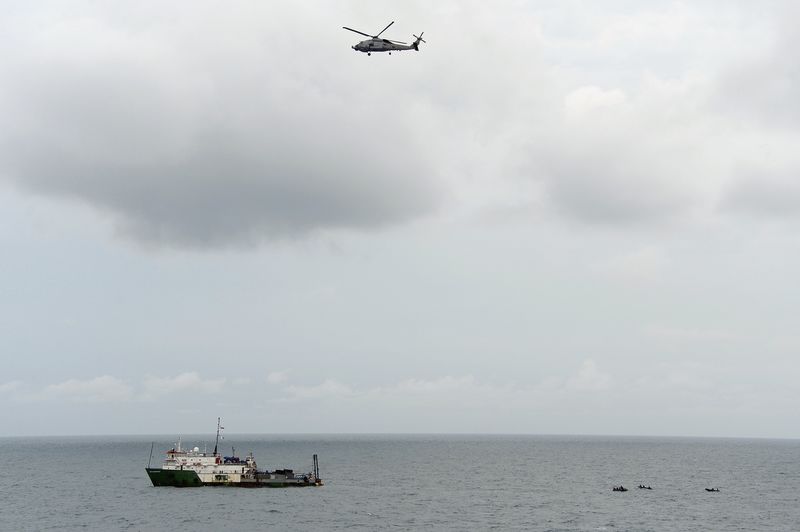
<point>190,148</point>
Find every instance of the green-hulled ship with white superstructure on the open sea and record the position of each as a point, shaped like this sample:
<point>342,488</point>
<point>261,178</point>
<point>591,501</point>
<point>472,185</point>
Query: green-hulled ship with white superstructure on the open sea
<point>194,468</point>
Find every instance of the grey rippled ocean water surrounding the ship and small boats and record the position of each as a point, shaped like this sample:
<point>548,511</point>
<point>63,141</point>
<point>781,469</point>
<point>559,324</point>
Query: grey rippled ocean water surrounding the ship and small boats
<point>413,483</point>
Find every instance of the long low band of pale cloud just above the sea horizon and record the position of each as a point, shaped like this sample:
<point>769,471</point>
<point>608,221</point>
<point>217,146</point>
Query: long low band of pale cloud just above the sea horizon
<point>587,401</point>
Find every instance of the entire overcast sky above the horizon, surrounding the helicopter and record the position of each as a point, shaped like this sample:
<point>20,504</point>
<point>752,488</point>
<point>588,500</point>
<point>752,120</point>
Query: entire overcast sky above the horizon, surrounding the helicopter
<point>557,217</point>
